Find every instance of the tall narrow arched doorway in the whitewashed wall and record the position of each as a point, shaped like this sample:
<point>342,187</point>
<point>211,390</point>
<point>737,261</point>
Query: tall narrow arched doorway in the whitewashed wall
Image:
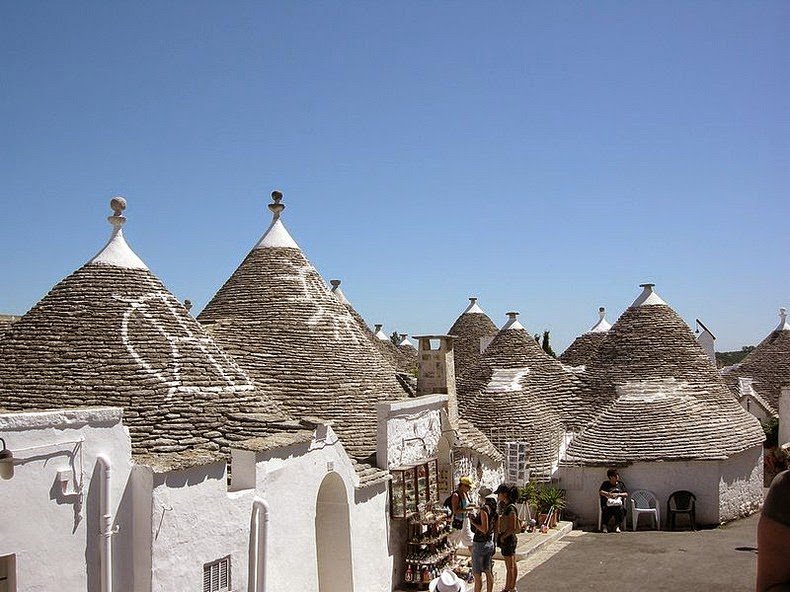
<point>333,536</point>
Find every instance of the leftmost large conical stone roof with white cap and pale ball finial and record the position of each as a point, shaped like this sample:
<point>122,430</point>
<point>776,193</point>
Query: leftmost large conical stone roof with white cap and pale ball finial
<point>112,334</point>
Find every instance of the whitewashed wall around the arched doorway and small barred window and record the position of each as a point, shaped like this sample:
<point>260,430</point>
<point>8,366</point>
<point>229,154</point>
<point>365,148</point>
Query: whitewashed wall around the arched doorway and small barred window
<point>196,520</point>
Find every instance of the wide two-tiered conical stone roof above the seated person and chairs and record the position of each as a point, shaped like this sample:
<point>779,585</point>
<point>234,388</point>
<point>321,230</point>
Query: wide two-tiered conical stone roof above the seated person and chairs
<point>657,396</point>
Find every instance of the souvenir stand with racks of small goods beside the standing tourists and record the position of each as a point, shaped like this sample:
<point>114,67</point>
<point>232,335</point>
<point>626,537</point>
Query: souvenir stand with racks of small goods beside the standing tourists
<point>414,499</point>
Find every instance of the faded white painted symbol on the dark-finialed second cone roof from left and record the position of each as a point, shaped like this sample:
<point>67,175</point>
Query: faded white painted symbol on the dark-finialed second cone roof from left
<point>314,292</point>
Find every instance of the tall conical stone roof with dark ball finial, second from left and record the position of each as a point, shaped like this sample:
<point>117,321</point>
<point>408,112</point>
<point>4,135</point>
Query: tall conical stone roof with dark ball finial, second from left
<point>277,318</point>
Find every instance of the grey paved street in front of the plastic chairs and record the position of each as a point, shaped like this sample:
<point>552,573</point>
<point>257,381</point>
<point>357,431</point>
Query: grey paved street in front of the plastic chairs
<point>720,559</point>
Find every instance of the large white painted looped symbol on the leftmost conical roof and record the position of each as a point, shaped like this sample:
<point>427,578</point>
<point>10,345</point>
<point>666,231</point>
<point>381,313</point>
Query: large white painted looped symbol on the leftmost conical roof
<point>158,337</point>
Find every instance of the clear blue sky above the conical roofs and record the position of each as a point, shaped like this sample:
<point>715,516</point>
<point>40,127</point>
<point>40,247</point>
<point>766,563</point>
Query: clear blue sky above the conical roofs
<point>545,157</point>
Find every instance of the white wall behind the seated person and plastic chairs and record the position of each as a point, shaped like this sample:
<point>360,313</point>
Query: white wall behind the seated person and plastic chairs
<point>725,489</point>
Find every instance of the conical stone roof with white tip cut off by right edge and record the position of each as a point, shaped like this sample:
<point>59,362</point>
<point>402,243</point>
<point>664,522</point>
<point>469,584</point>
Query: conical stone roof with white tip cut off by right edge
<point>768,365</point>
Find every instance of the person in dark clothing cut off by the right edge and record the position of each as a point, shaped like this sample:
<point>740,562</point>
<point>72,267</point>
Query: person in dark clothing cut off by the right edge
<point>773,537</point>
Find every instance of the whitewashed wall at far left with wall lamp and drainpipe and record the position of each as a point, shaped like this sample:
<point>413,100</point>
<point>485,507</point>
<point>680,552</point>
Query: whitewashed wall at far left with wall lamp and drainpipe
<point>55,537</point>
